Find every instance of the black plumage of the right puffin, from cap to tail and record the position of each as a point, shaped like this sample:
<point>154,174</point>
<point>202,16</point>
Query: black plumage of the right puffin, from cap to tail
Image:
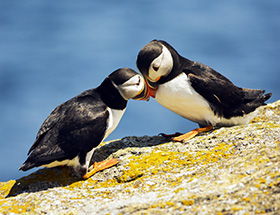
<point>225,99</point>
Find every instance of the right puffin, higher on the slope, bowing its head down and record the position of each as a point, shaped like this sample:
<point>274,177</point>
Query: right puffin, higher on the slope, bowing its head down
<point>195,91</point>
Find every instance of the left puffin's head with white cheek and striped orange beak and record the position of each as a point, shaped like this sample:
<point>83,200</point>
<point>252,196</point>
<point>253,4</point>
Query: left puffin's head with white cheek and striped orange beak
<point>130,84</point>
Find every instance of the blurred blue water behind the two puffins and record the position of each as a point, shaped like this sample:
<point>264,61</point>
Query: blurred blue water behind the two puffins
<point>51,51</point>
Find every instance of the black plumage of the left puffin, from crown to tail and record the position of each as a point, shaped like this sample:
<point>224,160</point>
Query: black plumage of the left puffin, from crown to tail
<point>77,126</point>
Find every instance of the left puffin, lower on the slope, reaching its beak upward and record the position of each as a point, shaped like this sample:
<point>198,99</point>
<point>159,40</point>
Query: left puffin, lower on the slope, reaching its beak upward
<point>76,127</point>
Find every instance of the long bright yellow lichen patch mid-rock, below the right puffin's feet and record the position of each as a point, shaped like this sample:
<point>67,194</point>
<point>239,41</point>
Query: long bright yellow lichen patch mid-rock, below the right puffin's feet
<point>160,161</point>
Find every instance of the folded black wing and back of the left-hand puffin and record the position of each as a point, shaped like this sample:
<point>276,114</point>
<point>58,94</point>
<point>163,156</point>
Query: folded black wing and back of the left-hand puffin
<point>73,128</point>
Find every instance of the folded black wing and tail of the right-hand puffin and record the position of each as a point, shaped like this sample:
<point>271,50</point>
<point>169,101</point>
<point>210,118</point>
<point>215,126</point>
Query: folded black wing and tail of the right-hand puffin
<point>224,97</point>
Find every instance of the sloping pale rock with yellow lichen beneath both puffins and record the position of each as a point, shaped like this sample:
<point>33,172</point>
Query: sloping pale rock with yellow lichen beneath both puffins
<point>233,170</point>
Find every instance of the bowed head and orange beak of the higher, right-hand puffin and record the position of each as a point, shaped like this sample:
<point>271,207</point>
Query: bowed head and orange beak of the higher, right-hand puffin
<point>154,61</point>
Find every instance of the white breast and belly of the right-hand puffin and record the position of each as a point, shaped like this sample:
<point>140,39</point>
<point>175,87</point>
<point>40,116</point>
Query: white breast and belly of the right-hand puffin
<point>179,96</point>
